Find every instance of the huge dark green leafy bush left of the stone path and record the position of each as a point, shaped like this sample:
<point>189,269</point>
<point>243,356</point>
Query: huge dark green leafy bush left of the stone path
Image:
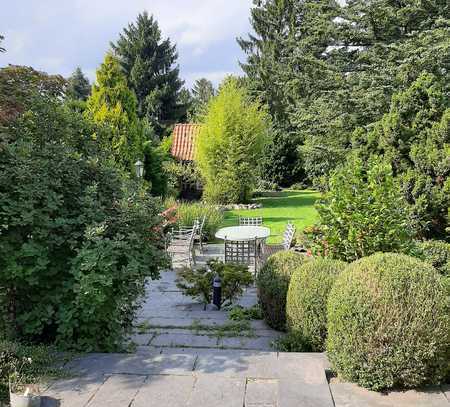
<point>77,239</point>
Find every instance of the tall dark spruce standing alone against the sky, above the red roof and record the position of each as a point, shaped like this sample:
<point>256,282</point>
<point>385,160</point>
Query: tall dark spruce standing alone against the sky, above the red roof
<point>149,62</point>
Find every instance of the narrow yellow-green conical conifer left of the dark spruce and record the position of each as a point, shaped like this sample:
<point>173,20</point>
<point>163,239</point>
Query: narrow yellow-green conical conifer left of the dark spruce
<point>113,105</point>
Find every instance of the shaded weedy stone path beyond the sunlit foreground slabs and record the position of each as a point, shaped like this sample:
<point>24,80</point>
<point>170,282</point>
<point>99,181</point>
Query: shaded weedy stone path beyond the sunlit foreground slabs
<point>170,320</point>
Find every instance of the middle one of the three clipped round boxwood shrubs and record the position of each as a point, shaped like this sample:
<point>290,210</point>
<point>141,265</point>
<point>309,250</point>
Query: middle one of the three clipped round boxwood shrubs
<point>306,308</point>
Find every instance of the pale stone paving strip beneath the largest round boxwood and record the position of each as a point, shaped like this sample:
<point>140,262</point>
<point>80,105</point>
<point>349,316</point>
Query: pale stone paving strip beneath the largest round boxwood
<point>350,395</point>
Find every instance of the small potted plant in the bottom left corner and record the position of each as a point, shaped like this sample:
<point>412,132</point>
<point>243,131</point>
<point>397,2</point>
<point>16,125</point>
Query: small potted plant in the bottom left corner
<point>21,393</point>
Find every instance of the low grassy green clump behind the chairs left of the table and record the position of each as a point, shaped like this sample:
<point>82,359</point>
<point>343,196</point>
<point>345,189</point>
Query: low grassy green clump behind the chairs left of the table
<point>187,212</point>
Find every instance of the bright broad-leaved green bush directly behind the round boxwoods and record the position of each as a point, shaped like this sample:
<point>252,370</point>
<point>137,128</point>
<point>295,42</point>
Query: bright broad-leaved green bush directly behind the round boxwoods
<point>364,212</point>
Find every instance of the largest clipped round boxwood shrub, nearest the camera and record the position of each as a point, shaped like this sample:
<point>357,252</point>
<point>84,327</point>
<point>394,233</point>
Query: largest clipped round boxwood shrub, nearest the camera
<point>388,322</point>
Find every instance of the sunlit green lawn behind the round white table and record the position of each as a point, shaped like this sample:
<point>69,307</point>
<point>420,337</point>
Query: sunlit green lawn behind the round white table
<point>279,208</point>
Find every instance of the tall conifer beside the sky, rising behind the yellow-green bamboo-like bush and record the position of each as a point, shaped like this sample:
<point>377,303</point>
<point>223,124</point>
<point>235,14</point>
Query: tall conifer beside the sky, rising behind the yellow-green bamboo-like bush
<point>286,63</point>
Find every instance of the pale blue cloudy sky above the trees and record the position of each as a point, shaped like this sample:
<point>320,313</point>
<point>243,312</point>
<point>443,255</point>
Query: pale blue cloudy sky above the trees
<point>56,36</point>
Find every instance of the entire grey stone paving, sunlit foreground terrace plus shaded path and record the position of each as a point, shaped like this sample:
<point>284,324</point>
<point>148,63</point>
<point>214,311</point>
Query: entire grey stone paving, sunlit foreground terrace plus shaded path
<point>187,357</point>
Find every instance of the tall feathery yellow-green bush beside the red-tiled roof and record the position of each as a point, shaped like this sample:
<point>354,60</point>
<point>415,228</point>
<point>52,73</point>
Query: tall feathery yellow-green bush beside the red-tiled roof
<point>230,144</point>
